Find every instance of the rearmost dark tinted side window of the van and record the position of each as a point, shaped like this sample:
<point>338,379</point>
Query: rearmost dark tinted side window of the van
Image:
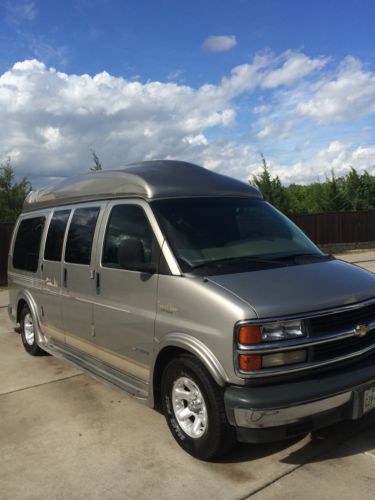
<point>27,244</point>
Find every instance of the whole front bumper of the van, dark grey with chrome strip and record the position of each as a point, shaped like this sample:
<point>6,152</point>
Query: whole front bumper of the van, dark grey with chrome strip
<point>284,410</point>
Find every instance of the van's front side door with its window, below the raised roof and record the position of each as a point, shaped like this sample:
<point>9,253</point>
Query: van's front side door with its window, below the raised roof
<point>125,306</point>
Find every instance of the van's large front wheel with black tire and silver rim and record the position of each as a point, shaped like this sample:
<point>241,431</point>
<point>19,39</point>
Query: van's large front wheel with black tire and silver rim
<point>193,406</point>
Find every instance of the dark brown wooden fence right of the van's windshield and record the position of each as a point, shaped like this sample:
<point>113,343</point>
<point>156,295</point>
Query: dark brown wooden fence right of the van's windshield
<point>338,227</point>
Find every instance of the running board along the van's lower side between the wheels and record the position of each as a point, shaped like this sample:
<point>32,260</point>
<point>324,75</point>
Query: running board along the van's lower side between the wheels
<point>100,371</point>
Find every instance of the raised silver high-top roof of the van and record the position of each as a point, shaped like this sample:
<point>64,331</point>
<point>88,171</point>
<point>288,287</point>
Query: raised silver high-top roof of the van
<point>149,180</point>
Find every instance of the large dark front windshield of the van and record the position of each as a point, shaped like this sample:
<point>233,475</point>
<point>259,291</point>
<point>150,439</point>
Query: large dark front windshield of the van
<point>219,232</point>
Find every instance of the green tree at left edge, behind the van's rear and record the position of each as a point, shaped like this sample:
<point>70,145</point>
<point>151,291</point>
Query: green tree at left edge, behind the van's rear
<point>12,194</point>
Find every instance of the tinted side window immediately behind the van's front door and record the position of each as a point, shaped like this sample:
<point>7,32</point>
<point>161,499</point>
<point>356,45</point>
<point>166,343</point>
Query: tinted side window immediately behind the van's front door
<point>80,235</point>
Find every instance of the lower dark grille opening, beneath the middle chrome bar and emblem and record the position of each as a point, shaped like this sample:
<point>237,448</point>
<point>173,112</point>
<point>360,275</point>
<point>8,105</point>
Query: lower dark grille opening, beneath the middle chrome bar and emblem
<point>338,348</point>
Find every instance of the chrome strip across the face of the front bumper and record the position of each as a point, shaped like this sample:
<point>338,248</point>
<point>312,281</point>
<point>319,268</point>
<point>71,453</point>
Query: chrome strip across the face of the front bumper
<point>260,418</point>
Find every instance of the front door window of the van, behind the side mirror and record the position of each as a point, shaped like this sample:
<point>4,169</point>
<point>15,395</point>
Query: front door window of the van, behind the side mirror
<point>126,221</point>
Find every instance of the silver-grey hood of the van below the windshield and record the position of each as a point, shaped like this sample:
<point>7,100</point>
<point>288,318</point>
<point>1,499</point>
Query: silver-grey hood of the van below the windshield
<point>301,288</point>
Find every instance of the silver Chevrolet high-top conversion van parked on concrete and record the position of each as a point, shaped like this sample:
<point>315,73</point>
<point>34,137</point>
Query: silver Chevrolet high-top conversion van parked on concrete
<point>188,291</point>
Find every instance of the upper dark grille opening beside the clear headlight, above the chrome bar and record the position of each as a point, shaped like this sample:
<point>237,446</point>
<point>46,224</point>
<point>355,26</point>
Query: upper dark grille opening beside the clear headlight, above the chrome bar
<point>347,320</point>
